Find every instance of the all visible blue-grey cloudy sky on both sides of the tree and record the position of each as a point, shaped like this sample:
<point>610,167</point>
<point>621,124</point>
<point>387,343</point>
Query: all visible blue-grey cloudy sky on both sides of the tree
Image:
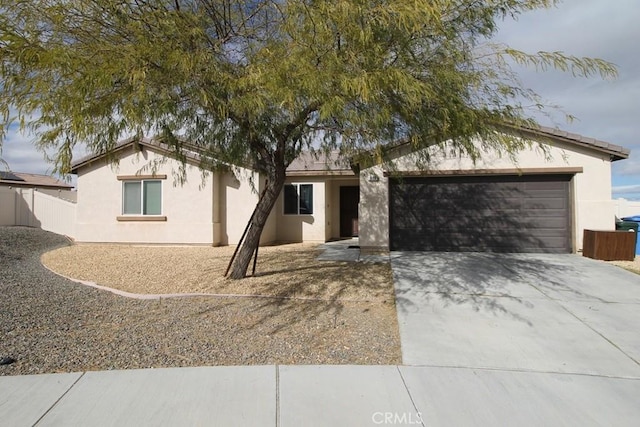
<point>607,110</point>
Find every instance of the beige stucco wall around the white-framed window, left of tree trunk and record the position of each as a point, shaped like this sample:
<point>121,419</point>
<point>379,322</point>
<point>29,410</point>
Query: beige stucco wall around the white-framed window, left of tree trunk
<point>188,208</point>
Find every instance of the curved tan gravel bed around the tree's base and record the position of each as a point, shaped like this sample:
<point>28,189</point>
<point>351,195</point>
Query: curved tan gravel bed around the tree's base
<point>285,270</point>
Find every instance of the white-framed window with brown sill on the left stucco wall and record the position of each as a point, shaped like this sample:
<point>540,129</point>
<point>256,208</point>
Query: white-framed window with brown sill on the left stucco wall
<point>142,197</point>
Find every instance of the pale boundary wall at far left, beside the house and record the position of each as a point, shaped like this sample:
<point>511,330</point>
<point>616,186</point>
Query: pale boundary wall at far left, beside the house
<point>32,208</point>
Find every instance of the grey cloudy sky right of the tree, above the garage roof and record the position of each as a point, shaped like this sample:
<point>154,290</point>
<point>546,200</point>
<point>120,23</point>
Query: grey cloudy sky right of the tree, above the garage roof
<point>606,110</point>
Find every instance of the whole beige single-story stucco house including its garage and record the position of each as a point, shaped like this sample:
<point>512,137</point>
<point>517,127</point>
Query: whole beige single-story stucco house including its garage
<point>539,202</point>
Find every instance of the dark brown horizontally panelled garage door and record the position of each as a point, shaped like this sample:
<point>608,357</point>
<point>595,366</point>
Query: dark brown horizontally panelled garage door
<point>484,213</point>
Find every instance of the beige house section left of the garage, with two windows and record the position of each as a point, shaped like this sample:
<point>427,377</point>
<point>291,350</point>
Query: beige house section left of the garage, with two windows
<point>140,200</point>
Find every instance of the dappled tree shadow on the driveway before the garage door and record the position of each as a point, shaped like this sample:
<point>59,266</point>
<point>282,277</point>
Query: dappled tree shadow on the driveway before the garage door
<point>468,278</point>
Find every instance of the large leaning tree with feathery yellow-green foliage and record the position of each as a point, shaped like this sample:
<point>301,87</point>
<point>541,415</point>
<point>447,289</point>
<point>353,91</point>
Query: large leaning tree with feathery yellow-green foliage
<point>258,81</point>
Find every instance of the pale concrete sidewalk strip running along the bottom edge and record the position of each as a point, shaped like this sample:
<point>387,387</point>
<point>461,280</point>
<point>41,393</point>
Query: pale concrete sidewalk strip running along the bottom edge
<point>317,396</point>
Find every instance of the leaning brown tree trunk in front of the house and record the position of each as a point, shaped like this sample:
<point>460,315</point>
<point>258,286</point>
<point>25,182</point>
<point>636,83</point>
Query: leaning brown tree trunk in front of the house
<point>252,239</point>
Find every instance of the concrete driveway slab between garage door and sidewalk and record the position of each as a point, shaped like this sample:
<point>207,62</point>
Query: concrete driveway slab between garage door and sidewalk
<point>551,313</point>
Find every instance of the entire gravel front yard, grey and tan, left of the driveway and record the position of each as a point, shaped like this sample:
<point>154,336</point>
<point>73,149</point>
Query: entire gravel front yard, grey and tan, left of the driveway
<point>51,324</point>
